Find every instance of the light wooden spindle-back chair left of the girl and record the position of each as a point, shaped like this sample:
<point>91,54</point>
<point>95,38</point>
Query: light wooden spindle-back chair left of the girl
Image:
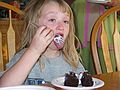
<point>9,40</point>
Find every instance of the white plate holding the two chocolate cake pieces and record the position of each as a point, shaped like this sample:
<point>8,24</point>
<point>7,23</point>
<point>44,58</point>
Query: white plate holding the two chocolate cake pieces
<point>59,82</point>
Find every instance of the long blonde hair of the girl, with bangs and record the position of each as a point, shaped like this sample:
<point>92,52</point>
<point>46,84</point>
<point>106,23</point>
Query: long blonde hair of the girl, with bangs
<point>32,13</point>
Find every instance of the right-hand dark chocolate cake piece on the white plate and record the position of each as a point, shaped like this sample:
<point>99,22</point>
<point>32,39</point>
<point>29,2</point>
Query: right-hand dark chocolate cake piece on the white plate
<point>86,80</point>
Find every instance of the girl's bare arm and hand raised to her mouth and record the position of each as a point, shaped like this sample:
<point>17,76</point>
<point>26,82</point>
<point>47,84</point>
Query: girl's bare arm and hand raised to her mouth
<point>17,74</point>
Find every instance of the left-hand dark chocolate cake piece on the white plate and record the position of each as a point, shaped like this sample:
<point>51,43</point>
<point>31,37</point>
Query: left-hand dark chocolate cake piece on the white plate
<point>71,80</point>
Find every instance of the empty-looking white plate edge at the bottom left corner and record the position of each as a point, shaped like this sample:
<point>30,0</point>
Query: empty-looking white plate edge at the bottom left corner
<point>27,87</point>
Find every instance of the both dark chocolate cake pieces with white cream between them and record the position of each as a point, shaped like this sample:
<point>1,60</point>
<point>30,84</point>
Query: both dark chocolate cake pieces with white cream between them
<point>73,80</point>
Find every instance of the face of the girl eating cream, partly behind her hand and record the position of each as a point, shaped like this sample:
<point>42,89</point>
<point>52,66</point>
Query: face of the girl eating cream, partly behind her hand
<point>54,18</point>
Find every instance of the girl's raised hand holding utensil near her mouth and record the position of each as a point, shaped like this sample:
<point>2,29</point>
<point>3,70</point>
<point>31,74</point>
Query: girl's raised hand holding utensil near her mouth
<point>41,39</point>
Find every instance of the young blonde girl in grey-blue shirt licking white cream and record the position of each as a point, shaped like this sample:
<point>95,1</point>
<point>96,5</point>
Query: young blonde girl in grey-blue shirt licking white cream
<point>44,58</point>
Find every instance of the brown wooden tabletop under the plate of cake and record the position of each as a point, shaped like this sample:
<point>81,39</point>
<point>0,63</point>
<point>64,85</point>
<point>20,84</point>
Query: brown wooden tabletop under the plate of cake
<point>112,81</point>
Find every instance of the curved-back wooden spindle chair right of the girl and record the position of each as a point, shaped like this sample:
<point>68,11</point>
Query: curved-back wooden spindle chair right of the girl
<point>108,44</point>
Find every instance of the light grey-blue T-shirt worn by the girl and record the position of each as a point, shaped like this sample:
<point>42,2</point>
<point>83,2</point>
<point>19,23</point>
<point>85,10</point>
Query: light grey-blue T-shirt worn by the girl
<point>54,67</point>
